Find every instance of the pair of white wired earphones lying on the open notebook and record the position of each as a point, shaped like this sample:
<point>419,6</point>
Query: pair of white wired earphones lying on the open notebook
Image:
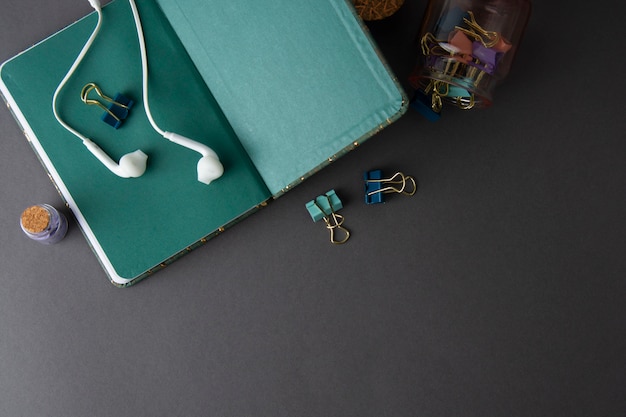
<point>133,164</point>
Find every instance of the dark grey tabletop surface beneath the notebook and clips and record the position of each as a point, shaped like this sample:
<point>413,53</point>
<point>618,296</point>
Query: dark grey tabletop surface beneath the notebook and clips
<point>498,290</point>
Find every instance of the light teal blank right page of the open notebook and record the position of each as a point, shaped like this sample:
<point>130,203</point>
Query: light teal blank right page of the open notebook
<point>299,80</point>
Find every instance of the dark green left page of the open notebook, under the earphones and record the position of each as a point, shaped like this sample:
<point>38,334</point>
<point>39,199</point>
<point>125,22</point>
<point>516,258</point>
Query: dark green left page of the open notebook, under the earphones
<point>133,224</point>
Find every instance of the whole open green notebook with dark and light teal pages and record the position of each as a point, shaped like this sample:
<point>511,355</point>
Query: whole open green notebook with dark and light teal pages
<point>278,88</point>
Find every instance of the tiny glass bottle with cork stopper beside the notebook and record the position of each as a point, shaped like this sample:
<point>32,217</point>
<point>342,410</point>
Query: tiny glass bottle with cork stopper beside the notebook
<point>43,223</point>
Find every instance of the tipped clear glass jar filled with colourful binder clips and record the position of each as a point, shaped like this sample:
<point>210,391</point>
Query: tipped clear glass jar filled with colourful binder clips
<point>467,47</point>
